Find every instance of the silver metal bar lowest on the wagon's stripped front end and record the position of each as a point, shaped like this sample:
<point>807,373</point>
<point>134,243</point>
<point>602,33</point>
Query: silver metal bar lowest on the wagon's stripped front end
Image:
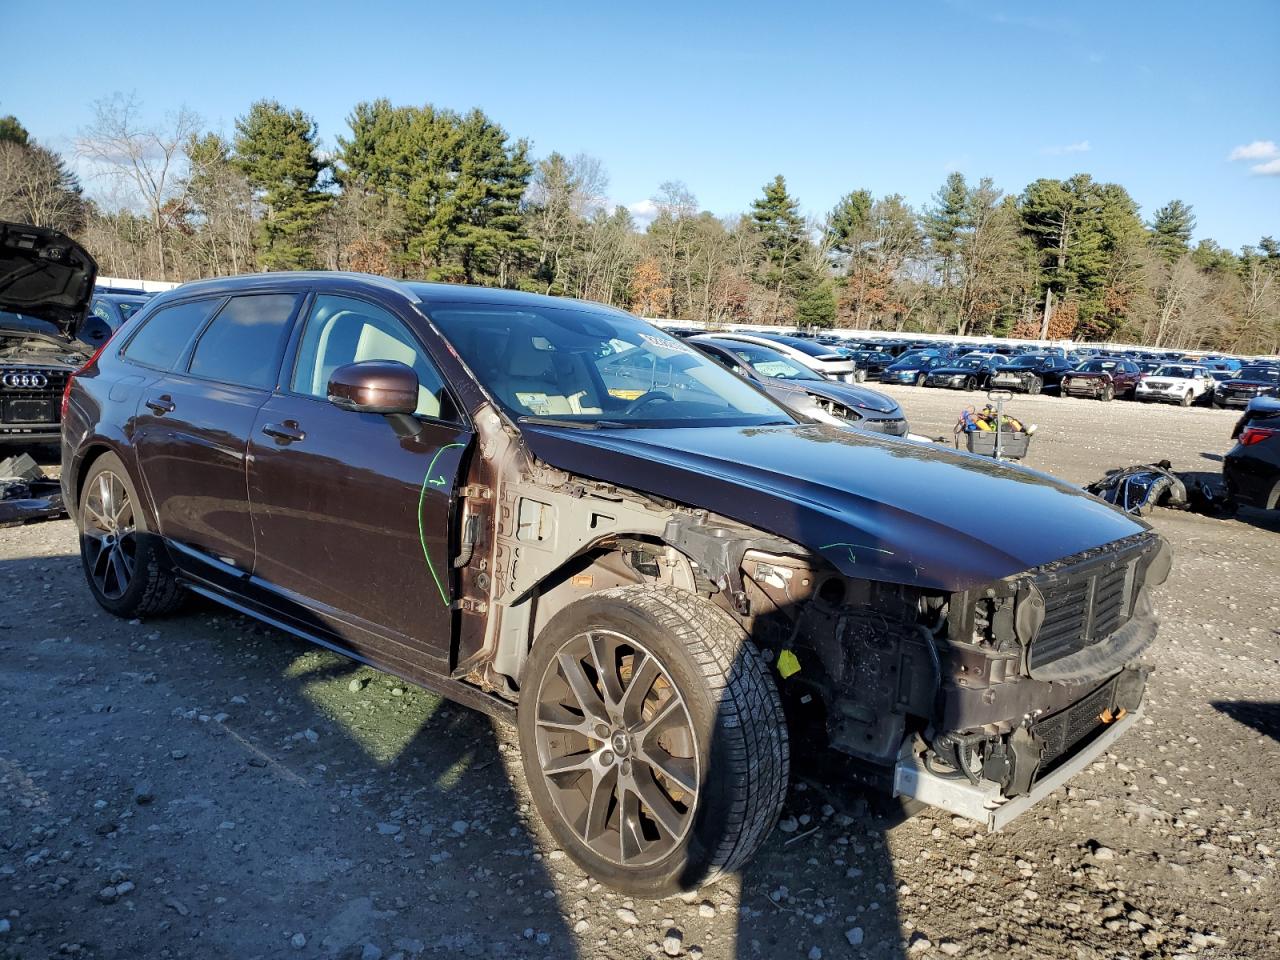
<point>984,803</point>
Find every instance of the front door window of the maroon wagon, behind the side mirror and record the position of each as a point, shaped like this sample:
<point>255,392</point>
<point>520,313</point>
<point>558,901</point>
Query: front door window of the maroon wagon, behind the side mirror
<point>346,331</point>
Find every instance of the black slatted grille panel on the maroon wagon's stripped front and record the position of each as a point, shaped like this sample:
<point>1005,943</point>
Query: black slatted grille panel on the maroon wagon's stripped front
<point>1084,606</point>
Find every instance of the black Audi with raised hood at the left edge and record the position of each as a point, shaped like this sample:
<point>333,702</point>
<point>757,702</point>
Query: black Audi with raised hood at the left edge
<point>47,282</point>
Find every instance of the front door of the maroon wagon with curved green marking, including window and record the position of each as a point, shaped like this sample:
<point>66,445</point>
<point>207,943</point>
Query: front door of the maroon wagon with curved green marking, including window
<point>353,519</point>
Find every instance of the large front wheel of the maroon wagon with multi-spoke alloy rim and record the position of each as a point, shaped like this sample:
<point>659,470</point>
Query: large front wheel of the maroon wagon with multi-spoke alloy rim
<point>653,739</point>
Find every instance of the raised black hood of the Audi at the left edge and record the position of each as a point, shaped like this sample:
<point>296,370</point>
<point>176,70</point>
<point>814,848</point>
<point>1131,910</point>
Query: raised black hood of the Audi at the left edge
<point>45,278</point>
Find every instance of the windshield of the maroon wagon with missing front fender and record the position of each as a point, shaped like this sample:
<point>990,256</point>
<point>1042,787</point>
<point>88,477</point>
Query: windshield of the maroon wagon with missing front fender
<point>591,368</point>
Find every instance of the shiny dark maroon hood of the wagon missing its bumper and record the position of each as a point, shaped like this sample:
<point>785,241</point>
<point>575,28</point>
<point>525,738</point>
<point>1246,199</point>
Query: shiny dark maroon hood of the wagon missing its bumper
<point>875,508</point>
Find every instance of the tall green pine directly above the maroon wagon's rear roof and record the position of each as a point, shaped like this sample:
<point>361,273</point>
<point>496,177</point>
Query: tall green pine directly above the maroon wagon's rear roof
<point>277,150</point>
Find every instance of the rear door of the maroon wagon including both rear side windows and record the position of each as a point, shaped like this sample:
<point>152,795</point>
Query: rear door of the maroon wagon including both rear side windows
<point>194,423</point>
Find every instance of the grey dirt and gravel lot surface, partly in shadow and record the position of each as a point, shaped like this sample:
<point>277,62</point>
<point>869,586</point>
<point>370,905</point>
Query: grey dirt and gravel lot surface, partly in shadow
<point>203,787</point>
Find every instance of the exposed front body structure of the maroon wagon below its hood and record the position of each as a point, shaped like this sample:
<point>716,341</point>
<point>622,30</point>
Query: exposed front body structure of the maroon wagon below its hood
<point>989,691</point>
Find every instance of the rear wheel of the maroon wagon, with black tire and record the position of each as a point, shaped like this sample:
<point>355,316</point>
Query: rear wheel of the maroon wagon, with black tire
<point>149,588</point>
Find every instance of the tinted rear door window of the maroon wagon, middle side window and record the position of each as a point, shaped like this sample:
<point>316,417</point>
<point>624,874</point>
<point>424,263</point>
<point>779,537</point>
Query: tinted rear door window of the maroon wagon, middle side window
<point>243,345</point>
